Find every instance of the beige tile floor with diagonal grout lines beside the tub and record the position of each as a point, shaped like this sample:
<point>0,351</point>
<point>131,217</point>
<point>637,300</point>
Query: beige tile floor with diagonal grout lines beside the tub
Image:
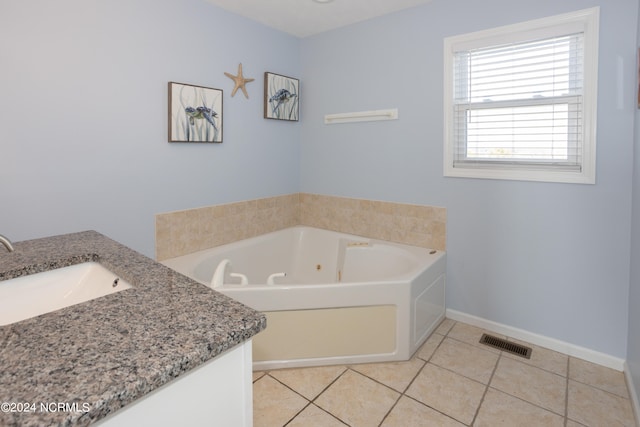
<point>452,380</point>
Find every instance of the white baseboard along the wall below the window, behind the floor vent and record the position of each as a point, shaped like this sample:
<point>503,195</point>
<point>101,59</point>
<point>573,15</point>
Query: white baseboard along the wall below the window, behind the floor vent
<point>540,340</point>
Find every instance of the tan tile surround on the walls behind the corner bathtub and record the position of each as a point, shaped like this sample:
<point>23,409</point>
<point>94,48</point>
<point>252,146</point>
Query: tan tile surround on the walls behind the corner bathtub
<point>182,232</point>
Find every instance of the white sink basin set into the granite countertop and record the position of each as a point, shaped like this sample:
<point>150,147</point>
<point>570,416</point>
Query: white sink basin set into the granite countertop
<point>29,296</point>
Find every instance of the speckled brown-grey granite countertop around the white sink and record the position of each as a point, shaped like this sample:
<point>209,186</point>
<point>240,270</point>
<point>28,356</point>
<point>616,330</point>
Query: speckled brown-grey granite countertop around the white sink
<point>98,356</point>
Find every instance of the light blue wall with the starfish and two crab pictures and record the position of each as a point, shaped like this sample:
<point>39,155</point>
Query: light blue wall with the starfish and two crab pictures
<point>83,115</point>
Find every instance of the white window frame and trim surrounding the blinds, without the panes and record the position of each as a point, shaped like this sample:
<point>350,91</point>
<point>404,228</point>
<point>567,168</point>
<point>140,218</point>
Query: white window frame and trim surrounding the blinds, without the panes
<point>584,21</point>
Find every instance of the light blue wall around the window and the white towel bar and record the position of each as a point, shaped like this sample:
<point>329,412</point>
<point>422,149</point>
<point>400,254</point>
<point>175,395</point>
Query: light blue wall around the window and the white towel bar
<point>552,259</point>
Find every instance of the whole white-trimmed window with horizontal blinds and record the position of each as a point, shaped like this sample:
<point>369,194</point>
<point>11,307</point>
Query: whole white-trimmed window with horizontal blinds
<point>520,101</point>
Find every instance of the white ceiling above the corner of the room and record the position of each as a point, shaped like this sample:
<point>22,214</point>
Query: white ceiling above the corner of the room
<point>303,18</point>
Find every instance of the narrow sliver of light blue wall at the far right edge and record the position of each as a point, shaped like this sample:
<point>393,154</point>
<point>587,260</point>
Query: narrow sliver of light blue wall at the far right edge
<point>633,351</point>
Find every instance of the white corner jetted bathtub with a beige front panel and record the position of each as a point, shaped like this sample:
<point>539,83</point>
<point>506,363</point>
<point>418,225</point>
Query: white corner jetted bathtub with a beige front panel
<point>332,298</point>
